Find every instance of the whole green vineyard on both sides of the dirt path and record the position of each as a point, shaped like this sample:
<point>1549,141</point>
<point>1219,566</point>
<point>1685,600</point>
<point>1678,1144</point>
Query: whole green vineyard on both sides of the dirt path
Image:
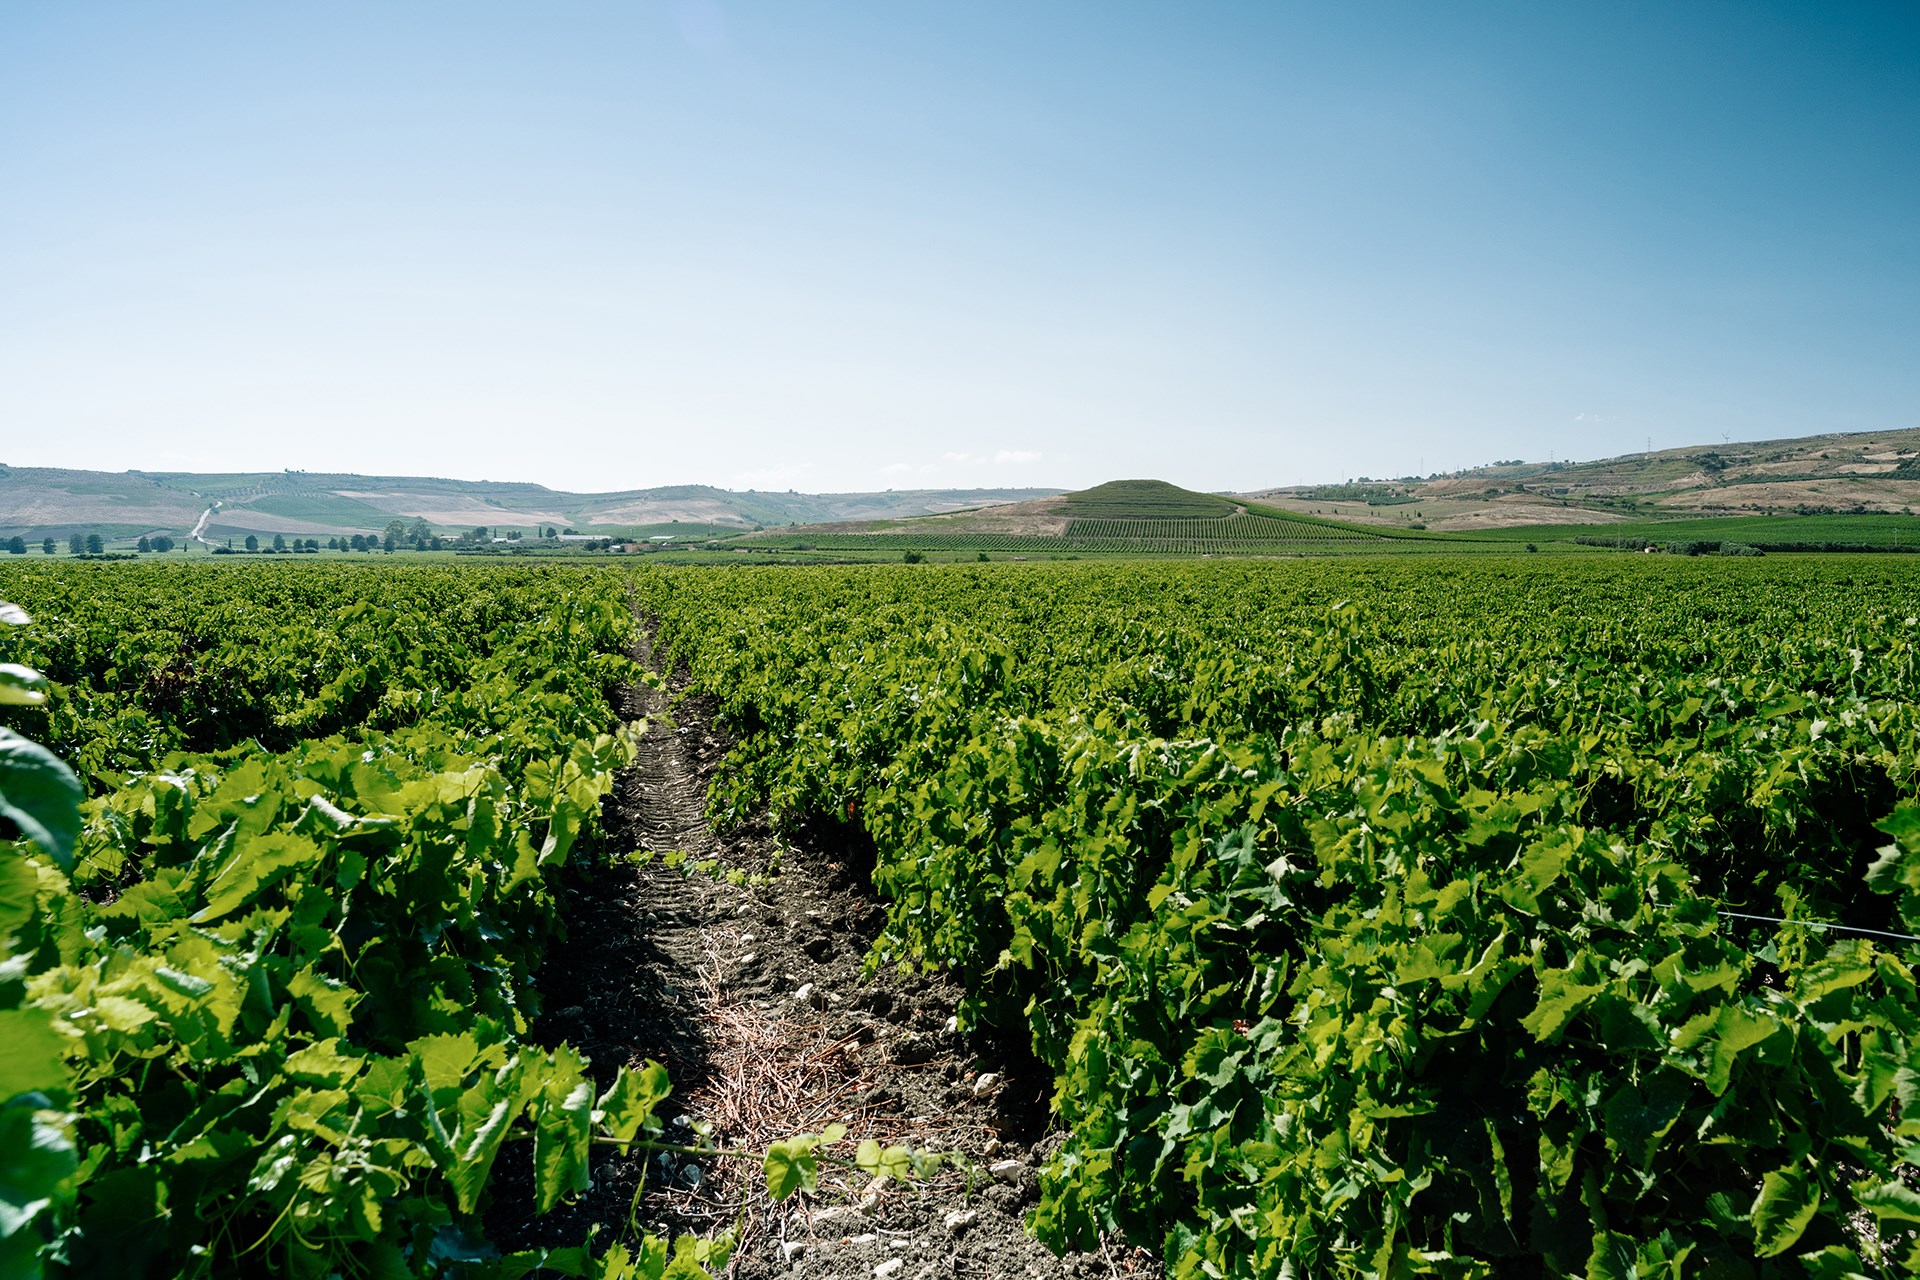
<point>1374,918</point>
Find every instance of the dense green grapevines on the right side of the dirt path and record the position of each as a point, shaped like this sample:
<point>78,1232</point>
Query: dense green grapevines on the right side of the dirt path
<point>1372,918</point>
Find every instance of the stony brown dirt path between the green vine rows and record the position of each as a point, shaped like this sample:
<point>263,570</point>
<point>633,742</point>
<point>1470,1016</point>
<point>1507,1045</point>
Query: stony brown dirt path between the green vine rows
<point>748,989</point>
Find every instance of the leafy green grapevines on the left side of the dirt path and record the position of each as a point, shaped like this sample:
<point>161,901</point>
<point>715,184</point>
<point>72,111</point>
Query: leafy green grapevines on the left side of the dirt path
<point>264,995</point>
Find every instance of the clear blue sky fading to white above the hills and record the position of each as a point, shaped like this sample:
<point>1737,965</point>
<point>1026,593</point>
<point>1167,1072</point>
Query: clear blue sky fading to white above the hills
<point>938,245</point>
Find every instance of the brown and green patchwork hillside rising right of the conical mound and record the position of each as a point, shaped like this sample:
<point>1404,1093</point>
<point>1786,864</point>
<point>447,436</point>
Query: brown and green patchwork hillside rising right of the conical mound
<point>1858,473</point>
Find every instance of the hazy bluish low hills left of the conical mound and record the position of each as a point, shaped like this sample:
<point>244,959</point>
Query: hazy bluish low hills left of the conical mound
<point>53,502</point>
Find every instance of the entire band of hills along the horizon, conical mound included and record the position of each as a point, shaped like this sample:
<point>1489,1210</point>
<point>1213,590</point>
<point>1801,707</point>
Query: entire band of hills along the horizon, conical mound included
<point>1867,481</point>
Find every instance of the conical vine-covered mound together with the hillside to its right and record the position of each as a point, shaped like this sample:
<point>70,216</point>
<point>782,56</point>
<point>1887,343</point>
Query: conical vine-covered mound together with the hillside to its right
<point>1831,492</point>
